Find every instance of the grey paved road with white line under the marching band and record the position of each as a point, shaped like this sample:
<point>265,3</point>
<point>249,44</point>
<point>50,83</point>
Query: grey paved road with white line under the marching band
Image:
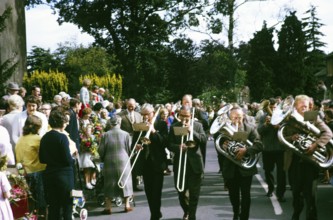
<point>214,202</point>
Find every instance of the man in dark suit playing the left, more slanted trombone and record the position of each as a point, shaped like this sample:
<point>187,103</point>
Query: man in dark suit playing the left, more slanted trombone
<point>154,159</point>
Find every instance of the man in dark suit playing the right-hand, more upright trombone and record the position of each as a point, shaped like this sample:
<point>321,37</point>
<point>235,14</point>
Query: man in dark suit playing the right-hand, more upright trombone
<point>189,196</point>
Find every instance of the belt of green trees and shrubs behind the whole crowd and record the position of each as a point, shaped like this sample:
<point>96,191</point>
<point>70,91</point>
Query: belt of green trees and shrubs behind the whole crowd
<point>135,41</point>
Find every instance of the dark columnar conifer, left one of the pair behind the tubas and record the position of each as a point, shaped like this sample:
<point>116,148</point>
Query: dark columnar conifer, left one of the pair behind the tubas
<point>260,66</point>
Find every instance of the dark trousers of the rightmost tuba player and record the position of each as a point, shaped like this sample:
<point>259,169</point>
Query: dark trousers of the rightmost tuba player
<point>304,178</point>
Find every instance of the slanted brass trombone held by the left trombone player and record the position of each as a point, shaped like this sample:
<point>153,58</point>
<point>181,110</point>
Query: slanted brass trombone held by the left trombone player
<point>144,141</point>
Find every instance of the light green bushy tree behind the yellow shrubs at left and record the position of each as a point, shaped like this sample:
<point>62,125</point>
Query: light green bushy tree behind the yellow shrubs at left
<point>73,60</point>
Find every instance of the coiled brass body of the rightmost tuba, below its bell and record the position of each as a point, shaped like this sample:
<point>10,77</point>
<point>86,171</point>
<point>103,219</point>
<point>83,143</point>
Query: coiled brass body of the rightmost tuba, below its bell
<point>322,156</point>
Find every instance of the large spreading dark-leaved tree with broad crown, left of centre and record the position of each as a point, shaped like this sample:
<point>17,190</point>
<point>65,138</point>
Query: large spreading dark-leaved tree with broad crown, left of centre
<point>125,28</point>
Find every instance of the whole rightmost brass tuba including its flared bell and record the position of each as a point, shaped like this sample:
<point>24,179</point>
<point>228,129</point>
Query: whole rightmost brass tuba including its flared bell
<point>322,156</point>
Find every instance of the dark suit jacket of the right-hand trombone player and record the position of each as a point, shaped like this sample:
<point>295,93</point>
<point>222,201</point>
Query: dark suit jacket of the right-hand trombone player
<point>194,156</point>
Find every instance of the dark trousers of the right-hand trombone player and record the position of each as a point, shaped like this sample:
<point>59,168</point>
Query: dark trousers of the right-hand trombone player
<point>189,198</point>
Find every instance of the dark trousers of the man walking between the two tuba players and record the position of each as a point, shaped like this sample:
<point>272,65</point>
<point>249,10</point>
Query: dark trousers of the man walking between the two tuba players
<point>270,160</point>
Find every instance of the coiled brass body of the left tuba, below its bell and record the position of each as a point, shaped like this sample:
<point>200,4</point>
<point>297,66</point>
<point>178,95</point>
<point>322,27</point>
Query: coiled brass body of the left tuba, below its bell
<point>231,148</point>
